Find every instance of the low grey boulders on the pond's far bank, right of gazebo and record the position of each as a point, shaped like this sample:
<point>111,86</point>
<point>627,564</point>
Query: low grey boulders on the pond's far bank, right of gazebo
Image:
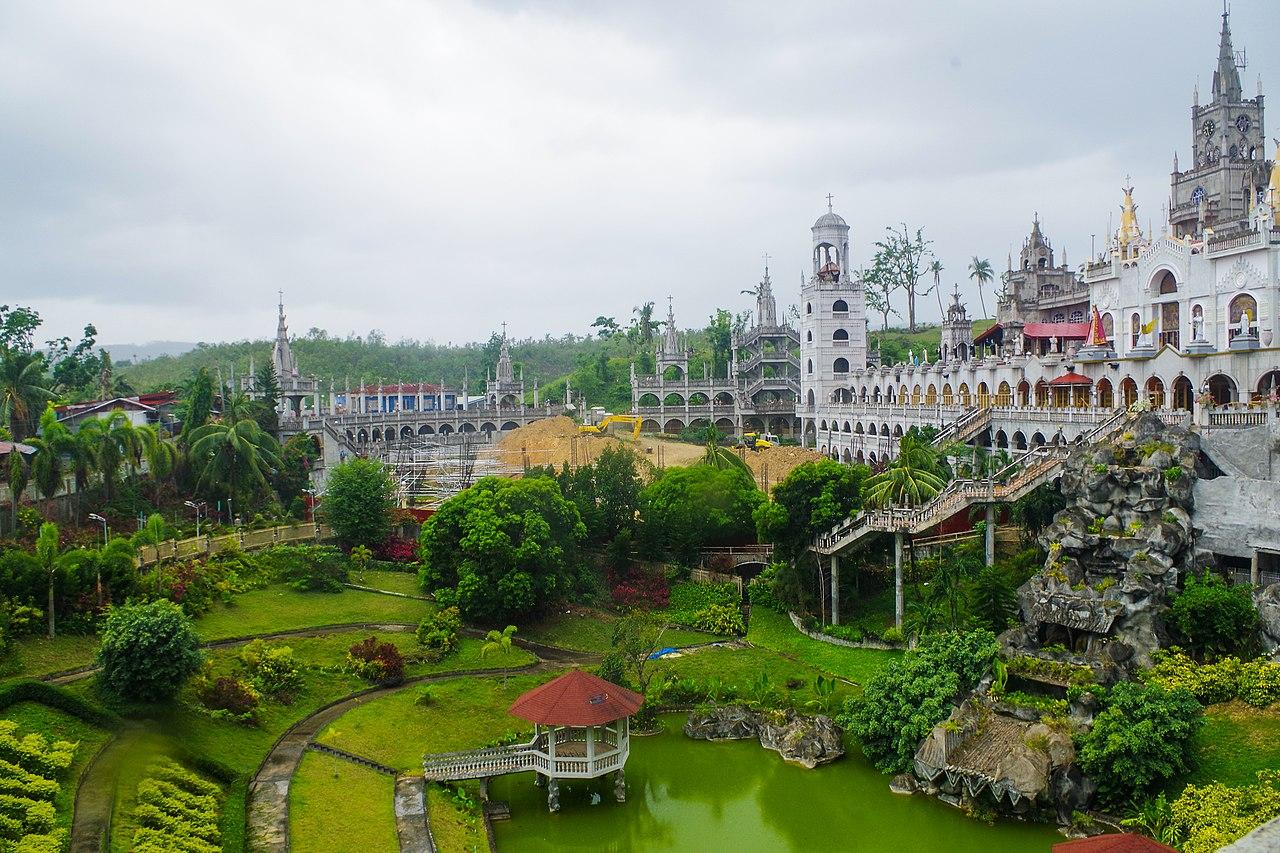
<point>810,741</point>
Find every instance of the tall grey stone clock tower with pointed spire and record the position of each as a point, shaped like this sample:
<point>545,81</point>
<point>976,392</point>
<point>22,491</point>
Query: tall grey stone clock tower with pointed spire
<point>1228,174</point>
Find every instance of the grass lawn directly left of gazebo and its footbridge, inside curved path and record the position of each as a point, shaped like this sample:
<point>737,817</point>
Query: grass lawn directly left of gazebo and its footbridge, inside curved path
<point>464,714</point>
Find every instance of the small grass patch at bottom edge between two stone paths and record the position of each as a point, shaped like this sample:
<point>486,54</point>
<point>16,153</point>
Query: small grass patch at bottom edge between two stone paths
<point>340,808</point>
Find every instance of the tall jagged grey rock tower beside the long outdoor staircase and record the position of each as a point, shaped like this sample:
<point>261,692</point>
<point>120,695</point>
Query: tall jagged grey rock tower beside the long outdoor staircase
<point>1116,553</point>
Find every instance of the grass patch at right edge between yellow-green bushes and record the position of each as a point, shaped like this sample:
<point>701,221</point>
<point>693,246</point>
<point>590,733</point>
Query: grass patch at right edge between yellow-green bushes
<point>1236,743</point>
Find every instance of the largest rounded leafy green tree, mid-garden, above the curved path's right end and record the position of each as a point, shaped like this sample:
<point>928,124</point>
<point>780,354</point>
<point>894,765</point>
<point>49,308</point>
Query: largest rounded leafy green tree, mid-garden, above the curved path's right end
<point>505,549</point>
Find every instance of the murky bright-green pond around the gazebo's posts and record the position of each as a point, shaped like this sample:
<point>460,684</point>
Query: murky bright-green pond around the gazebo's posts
<point>696,796</point>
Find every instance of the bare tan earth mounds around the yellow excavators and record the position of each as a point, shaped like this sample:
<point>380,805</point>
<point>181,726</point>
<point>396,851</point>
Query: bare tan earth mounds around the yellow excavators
<point>556,441</point>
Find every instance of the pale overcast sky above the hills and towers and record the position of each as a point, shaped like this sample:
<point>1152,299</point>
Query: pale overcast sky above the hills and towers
<point>432,170</point>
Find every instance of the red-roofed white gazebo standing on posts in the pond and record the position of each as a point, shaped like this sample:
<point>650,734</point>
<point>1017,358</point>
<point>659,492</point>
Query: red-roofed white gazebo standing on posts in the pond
<point>582,731</point>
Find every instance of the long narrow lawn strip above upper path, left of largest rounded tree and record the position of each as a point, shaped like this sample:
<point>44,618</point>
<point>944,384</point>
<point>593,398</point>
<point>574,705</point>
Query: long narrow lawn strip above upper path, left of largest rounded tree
<point>280,608</point>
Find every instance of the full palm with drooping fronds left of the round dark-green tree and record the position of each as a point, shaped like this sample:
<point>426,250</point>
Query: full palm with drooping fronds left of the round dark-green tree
<point>234,454</point>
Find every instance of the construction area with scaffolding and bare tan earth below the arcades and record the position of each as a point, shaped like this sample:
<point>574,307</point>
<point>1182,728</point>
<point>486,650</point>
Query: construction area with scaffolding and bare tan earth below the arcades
<point>431,469</point>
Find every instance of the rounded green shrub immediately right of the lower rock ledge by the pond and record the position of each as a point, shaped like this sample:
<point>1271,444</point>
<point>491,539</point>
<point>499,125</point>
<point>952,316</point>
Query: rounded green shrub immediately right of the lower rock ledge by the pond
<point>1144,737</point>
